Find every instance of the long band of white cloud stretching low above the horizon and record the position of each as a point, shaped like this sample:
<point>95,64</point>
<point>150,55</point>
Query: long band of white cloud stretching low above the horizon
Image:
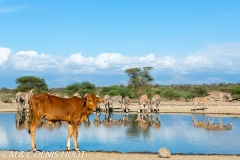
<point>215,57</point>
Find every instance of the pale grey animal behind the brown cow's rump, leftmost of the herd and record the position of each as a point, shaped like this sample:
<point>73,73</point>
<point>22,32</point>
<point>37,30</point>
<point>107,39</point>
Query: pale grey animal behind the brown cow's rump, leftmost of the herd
<point>22,99</point>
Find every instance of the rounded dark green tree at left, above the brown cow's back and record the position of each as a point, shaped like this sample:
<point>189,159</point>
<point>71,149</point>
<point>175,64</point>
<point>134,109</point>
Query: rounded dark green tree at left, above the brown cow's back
<point>27,83</point>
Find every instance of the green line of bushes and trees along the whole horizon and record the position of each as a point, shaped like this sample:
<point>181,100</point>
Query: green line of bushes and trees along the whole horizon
<point>140,82</point>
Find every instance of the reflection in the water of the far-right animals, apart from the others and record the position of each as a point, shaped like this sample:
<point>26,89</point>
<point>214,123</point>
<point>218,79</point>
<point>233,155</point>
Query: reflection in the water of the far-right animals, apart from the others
<point>210,125</point>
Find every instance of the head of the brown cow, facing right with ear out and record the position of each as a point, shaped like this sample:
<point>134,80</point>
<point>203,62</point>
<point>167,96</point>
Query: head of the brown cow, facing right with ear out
<point>91,101</point>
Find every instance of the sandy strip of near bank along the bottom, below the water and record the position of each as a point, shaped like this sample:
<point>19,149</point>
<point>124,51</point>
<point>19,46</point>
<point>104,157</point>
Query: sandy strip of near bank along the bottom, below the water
<point>99,155</point>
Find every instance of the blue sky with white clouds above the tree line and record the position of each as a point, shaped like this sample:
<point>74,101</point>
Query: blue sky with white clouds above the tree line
<point>186,42</point>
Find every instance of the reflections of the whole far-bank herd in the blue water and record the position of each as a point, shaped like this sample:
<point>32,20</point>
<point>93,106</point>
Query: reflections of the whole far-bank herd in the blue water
<point>144,121</point>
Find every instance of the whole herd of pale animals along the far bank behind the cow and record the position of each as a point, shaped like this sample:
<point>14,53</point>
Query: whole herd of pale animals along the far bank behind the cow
<point>145,104</point>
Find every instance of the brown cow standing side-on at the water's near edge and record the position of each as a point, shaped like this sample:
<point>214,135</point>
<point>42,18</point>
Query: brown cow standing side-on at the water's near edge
<point>73,110</point>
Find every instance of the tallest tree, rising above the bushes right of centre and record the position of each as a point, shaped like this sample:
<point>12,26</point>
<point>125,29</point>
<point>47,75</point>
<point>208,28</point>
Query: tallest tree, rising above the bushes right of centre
<point>140,80</point>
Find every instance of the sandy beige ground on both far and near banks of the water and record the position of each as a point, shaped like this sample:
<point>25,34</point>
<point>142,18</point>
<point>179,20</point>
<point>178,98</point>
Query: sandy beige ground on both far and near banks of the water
<point>224,109</point>
